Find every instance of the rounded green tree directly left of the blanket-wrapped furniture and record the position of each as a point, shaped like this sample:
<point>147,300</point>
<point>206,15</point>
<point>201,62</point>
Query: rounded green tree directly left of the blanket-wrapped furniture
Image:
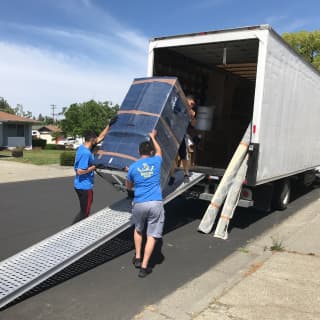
<point>90,115</point>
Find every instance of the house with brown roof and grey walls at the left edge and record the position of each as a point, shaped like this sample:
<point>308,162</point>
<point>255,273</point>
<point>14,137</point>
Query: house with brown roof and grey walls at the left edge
<point>15,131</point>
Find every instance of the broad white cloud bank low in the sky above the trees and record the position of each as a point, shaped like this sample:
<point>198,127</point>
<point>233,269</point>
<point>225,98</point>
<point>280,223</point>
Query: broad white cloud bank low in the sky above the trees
<point>37,78</point>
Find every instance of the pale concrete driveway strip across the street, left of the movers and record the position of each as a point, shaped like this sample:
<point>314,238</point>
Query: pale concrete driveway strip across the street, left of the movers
<point>15,171</point>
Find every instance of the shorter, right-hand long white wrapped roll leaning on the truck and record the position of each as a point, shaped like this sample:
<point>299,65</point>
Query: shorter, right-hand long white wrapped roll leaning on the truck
<point>231,201</point>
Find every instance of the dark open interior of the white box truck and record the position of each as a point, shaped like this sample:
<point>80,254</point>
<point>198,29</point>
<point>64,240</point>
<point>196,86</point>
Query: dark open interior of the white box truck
<point>231,95</point>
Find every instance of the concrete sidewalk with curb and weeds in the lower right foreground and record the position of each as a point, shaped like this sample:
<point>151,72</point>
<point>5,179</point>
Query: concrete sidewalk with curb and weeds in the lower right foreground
<point>256,282</point>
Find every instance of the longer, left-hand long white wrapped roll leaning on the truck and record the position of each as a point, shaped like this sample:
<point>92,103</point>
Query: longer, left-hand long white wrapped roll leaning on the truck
<point>219,196</point>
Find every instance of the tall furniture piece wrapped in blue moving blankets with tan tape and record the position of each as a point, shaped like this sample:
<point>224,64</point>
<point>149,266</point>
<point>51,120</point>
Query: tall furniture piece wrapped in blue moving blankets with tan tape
<point>151,103</point>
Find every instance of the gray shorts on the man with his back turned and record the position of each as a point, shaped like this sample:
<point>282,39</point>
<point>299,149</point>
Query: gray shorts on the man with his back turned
<point>149,213</point>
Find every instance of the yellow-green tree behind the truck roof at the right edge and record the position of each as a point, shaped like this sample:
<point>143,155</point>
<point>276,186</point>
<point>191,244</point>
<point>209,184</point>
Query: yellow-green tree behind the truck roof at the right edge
<point>307,44</point>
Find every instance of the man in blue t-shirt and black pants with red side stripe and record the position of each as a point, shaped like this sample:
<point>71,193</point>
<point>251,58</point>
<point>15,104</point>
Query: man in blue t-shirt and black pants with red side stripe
<point>84,169</point>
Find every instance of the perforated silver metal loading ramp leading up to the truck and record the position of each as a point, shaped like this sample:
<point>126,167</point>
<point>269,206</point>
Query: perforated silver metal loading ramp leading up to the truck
<point>28,268</point>
